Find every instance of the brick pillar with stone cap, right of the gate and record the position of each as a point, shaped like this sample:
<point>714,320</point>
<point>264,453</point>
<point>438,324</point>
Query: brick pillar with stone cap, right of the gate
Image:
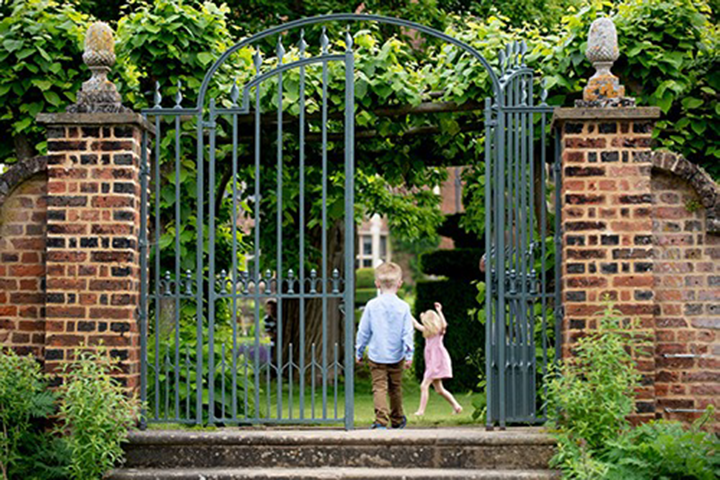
<point>607,226</point>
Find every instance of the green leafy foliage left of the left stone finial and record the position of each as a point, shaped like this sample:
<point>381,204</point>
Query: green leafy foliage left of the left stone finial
<point>40,70</point>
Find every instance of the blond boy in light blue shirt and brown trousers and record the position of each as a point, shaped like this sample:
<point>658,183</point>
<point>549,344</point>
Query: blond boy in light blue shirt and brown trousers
<point>386,329</point>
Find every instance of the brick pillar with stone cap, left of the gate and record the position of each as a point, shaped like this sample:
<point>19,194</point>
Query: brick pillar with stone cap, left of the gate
<point>93,219</point>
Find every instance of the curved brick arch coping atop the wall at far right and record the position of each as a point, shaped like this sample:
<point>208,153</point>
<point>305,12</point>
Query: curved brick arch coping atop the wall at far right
<point>707,189</point>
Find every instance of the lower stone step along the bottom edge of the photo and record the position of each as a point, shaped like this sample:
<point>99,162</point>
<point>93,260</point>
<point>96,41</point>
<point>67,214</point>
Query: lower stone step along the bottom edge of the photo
<point>328,474</point>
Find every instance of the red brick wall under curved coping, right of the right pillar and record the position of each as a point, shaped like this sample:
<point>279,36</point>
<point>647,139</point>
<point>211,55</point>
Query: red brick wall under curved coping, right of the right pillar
<point>687,292</point>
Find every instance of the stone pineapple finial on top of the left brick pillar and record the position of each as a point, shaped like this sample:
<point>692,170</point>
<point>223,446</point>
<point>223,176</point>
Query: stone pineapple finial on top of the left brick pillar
<point>98,94</point>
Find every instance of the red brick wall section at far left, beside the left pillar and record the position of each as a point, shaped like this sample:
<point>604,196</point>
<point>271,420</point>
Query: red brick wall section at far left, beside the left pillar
<point>22,266</point>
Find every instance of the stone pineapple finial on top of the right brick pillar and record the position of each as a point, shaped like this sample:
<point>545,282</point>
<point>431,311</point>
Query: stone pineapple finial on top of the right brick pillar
<point>603,88</point>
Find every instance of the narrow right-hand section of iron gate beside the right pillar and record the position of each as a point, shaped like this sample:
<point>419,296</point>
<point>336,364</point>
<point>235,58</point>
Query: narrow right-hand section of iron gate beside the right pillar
<point>522,274</point>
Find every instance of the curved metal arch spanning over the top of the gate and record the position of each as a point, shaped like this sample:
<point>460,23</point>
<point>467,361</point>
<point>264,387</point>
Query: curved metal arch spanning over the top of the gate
<point>349,17</point>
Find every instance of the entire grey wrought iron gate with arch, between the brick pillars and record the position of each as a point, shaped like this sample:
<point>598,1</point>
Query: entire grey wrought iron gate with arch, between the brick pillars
<point>206,267</point>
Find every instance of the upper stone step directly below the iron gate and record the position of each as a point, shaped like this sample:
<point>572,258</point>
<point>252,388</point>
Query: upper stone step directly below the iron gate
<point>457,448</point>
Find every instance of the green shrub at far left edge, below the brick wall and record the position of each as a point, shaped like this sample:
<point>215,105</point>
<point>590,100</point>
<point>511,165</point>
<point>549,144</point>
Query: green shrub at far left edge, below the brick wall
<point>24,397</point>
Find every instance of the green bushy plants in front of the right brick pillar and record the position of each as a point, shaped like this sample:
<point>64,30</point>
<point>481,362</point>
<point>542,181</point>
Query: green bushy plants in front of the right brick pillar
<point>589,399</point>
